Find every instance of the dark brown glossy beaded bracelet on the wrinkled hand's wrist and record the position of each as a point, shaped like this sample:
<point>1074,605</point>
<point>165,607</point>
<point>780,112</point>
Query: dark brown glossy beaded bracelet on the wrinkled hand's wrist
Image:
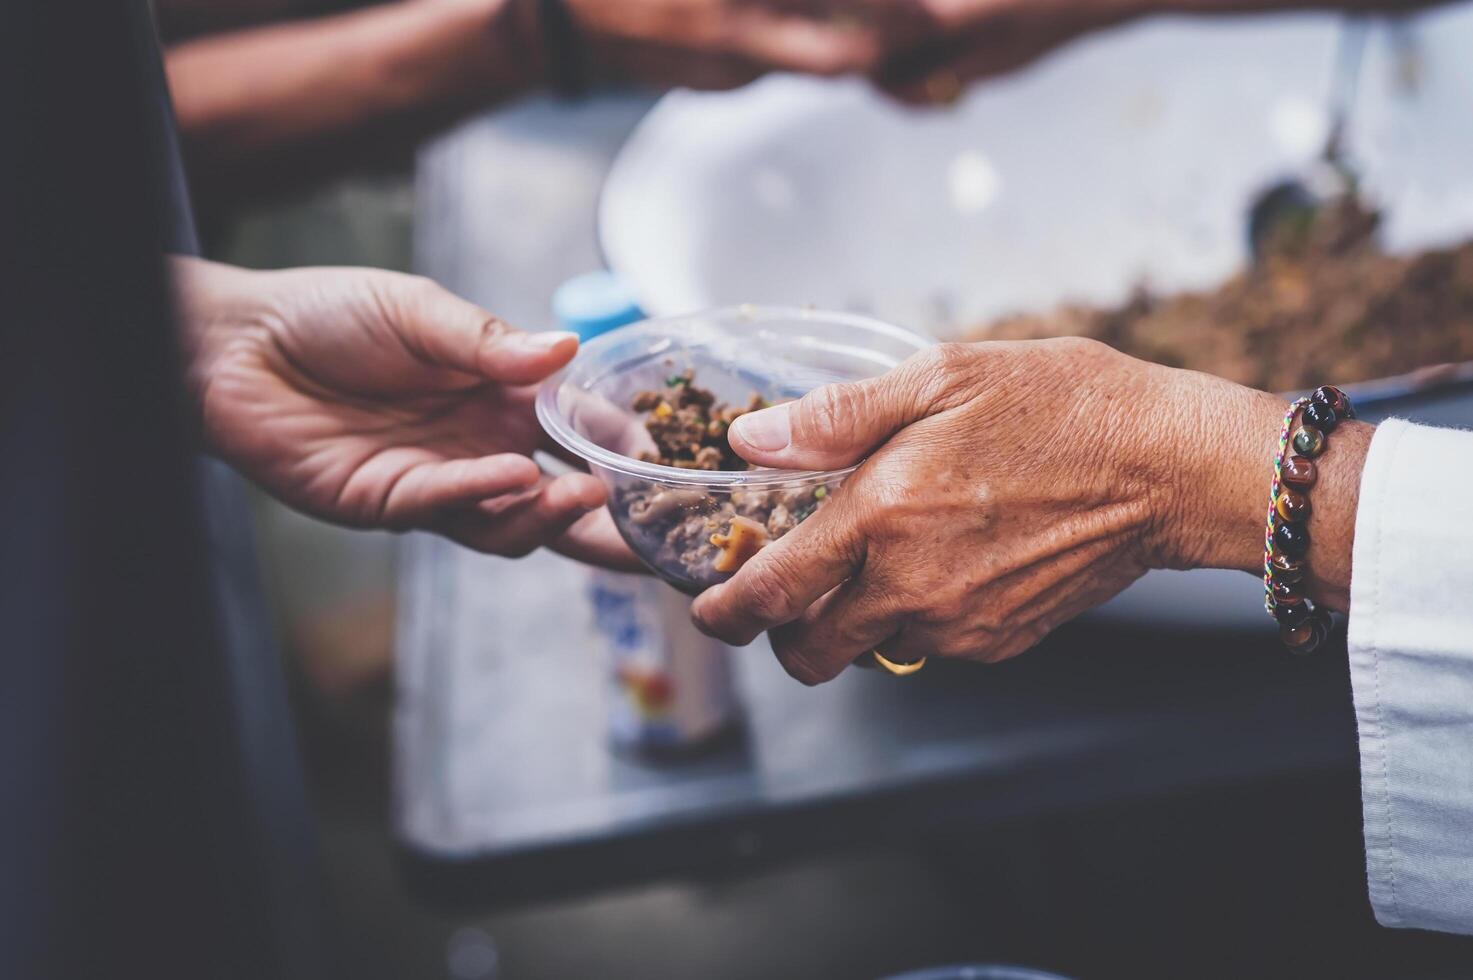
<point>1287,539</point>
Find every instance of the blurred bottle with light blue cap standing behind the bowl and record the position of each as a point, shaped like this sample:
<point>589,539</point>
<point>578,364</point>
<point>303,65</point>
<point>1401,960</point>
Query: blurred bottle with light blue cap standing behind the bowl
<point>671,687</point>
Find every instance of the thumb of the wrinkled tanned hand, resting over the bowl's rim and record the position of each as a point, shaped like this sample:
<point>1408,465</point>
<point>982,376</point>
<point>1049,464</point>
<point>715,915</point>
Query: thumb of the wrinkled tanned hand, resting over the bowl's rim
<point>830,428</point>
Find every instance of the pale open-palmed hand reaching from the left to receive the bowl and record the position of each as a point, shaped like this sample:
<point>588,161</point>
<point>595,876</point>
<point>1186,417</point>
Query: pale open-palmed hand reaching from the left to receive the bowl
<point>378,400</point>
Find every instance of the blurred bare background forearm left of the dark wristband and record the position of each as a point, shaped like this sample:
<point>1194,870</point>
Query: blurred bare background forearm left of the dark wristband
<point>263,104</point>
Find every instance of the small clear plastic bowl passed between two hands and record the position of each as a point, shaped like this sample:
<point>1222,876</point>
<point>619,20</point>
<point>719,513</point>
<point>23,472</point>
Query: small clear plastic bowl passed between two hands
<point>671,515</point>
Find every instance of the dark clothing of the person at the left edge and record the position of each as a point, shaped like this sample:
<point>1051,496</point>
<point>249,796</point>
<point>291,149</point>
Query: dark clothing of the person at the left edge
<point>135,835</point>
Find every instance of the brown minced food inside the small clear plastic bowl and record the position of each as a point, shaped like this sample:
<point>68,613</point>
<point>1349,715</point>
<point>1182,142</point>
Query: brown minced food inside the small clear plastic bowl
<point>692,534</point>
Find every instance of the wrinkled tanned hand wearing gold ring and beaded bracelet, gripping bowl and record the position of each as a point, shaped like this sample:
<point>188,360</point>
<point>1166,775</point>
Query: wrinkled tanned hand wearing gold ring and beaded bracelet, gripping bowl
<point>1011,487</point>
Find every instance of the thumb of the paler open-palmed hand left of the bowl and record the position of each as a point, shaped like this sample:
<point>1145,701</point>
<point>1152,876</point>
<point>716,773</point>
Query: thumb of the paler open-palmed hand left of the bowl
<point>446,331</point>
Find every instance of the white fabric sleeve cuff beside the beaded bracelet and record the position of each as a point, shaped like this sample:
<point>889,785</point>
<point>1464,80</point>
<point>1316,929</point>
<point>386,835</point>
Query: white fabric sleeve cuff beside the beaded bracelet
<point>1412,673</point>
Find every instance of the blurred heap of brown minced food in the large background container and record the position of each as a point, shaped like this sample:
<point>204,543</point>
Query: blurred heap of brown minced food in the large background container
<point>1326,304</point>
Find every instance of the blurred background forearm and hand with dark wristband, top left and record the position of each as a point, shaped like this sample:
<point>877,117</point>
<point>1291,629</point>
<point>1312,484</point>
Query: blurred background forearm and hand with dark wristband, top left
<point>278,94</point>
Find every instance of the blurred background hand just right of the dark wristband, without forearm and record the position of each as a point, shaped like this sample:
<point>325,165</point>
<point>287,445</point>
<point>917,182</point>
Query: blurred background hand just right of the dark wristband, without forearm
<point>727,43</point>
